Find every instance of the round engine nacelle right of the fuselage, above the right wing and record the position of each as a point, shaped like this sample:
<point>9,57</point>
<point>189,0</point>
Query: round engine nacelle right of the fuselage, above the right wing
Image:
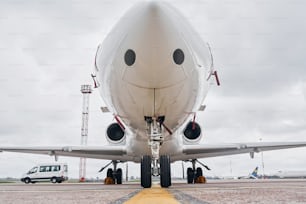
<point>192,133</point>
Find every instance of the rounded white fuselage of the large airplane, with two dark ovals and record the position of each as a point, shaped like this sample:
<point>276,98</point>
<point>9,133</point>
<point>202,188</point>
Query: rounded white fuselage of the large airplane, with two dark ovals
<point>153,64</point>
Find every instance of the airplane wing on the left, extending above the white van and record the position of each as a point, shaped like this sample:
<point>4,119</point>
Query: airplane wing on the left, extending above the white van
<point>102,152</point>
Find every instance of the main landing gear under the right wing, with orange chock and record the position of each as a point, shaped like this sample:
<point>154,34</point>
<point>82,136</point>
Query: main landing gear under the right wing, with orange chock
<point>195,175</point>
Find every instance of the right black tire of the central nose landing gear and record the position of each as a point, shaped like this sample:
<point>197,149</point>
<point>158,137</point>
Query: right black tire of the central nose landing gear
<point>165,171</point>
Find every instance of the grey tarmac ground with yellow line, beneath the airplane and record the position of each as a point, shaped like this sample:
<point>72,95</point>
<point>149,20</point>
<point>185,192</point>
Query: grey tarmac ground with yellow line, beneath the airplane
<point>215,191</point>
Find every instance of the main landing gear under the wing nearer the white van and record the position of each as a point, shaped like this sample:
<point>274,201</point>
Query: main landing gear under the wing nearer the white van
<point>113,176</point>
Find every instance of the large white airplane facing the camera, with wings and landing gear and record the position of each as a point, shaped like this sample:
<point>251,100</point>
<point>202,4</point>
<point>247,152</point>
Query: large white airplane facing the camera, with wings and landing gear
<point>153,72</point>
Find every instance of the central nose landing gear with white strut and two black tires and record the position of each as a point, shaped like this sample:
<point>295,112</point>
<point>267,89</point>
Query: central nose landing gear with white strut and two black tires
<point>156,165</point>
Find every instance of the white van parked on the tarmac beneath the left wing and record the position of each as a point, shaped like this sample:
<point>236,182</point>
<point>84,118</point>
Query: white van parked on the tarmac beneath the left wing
<point>56,172</point>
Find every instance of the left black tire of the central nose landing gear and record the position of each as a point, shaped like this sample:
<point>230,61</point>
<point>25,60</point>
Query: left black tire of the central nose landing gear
<point>145,170</point>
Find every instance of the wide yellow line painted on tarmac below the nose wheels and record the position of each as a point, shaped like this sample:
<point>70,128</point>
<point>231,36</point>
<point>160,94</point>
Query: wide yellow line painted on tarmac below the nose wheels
<point>153,195</point>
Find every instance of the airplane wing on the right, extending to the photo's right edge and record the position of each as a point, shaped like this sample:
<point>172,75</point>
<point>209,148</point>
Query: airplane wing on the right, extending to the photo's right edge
<point>215,150</point>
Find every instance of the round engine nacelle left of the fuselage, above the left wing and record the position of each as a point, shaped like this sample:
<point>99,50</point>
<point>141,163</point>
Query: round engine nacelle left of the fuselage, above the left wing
<point>115,134</point>
